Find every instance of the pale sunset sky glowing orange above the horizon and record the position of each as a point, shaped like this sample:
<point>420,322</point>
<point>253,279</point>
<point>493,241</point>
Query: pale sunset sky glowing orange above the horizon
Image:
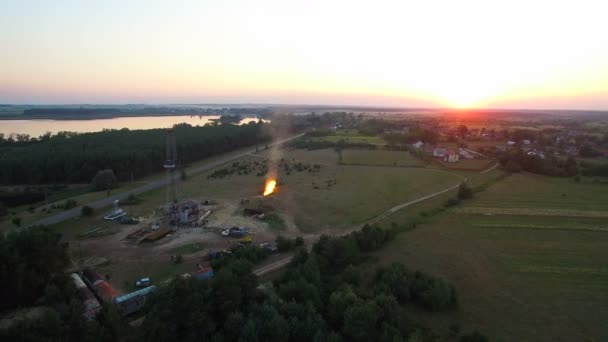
<point>545,54</point>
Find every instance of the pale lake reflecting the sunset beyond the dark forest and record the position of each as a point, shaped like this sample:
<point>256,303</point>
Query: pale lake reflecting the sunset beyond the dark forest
<point>37,127</point>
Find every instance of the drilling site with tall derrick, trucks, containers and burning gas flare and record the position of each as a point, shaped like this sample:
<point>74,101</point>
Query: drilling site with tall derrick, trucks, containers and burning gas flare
<point>179,238</point>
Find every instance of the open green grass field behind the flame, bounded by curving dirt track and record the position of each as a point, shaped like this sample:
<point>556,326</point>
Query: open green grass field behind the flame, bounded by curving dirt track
<point>338,196</point>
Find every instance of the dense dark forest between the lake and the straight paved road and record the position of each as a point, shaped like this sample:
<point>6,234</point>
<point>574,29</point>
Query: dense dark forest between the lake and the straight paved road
<point>76,158</point>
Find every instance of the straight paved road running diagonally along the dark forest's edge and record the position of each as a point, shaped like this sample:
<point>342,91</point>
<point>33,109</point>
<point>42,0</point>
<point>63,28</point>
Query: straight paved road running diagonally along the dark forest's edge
<point>72,213</point>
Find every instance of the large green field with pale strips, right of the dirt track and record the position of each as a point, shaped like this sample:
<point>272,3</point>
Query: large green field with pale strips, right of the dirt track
<point>540,274</point>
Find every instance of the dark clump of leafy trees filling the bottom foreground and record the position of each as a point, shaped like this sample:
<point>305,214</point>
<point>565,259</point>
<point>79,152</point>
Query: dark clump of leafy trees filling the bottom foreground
<point>321,296</point>
